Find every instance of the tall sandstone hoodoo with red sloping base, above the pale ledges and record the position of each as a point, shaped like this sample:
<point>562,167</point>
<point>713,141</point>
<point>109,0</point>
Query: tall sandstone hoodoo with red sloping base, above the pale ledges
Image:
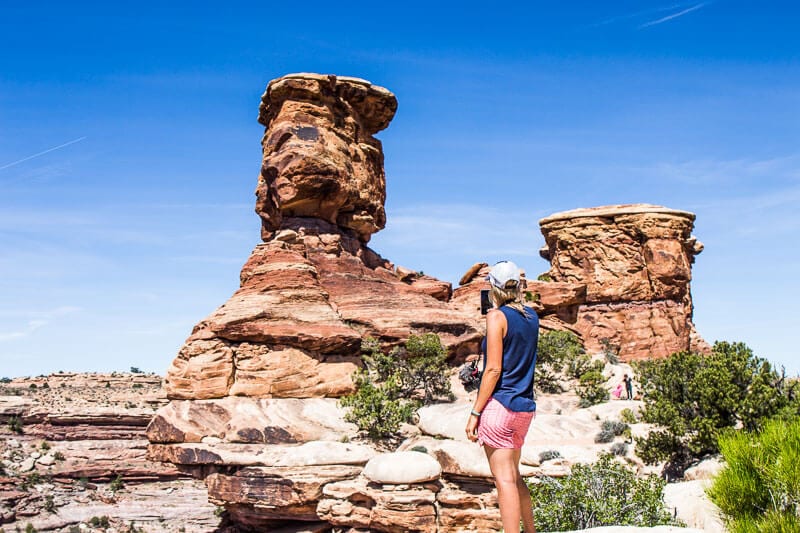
<point>313,289</point>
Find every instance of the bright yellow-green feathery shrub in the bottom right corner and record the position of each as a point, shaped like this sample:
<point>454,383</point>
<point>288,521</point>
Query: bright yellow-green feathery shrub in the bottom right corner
<point>759,487</point>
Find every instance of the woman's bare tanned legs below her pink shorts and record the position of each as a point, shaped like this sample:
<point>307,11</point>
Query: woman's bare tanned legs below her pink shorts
<point>512,494</point>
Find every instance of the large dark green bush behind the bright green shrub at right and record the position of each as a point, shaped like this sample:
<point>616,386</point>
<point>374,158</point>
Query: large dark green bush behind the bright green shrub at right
<point>694,397</point>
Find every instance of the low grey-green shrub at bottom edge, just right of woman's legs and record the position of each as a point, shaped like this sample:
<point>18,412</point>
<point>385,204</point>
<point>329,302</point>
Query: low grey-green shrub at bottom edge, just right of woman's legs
<point>601,494</point>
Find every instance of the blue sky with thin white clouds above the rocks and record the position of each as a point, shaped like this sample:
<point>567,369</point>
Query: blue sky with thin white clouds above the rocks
<point>129,151</point>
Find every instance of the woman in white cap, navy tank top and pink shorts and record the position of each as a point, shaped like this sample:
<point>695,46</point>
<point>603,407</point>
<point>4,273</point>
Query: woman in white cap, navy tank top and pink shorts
<point>504,407</point>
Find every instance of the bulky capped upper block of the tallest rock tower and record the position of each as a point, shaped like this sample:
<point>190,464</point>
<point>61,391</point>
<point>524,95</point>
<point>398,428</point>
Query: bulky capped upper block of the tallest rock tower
<point>320,157</point>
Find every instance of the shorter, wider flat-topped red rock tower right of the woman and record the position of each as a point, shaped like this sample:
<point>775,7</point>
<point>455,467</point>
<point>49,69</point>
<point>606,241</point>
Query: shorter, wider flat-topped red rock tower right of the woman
<point>622,274</point>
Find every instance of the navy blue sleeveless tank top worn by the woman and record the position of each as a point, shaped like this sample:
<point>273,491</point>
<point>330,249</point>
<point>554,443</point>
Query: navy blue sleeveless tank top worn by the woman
<point>514,389</point>
